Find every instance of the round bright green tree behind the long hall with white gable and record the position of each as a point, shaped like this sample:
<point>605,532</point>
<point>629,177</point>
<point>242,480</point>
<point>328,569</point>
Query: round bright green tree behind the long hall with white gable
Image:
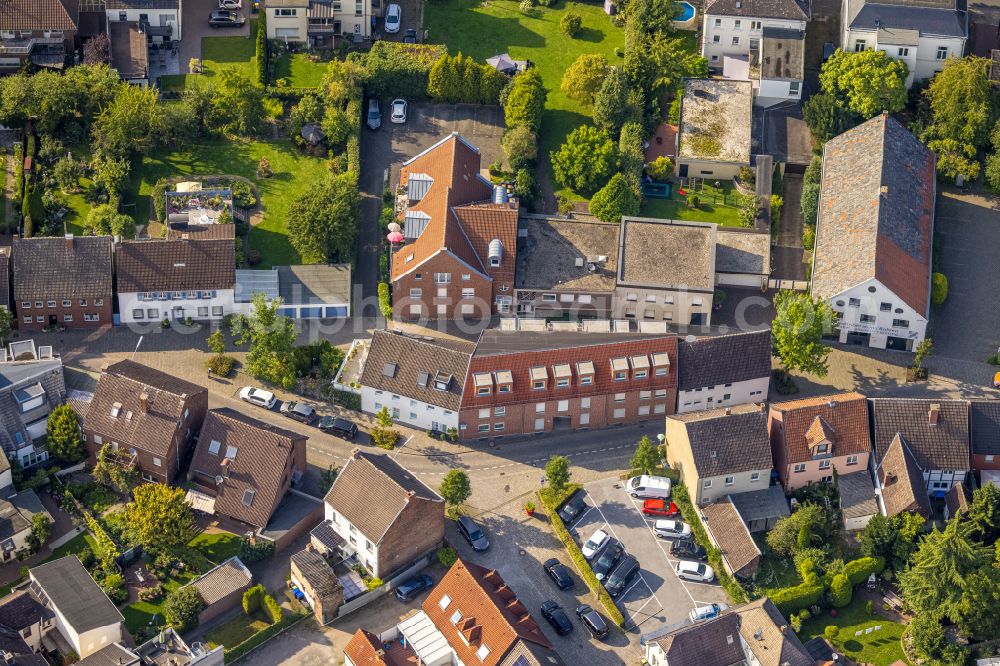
<point>866,82</point>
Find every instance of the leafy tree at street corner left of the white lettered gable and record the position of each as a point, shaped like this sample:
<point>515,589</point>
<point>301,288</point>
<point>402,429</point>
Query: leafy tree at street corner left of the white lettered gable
<point>797,332</point>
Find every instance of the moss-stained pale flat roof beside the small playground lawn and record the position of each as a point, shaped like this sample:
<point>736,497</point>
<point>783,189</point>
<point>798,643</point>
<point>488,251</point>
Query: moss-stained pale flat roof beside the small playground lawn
<point>716,116</point>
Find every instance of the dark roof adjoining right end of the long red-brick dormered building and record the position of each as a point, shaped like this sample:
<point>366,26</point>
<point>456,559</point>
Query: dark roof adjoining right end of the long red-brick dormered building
<point>724,359</point>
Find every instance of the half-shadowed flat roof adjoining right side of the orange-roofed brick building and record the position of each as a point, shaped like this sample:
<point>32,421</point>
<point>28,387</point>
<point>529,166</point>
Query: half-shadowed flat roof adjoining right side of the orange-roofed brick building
<point>557,255</point>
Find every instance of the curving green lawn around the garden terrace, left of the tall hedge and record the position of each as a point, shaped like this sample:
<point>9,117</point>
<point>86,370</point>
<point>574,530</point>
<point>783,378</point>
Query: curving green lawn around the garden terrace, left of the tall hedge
<point>294,174</point>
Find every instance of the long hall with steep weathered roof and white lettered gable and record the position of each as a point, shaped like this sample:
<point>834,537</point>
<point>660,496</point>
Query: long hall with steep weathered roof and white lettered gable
<point>874,234</point>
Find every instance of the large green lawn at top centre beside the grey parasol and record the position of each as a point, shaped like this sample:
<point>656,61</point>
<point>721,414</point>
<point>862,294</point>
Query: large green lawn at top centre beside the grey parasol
<point>483,30</point>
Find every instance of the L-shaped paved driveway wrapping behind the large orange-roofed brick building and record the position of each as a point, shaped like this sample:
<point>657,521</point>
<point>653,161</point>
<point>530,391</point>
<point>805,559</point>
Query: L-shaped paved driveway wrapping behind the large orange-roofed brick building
<point>383,152</point>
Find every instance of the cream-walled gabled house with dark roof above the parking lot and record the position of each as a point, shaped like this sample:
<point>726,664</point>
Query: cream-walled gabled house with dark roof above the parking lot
<point>720,452</point>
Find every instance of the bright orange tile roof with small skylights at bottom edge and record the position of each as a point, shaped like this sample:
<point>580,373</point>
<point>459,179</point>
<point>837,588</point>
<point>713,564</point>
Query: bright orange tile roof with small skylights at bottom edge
<point>491,614</point>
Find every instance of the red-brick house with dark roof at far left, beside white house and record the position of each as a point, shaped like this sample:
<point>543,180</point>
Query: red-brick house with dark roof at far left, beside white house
<point>62,282</point>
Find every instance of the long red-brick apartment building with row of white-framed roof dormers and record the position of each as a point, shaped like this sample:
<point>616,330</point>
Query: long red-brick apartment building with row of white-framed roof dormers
<point>522,382</point>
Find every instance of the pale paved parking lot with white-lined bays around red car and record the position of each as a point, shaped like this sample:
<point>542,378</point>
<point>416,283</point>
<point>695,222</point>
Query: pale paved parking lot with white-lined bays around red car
<point>656,597</point>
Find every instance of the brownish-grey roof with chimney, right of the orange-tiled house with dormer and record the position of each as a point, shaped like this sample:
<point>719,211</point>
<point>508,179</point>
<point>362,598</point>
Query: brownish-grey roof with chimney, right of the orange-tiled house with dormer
<point>941,446</point>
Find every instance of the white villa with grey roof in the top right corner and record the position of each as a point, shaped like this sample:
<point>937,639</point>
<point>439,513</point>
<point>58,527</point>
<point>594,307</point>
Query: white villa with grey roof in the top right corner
<point>921,33</point>
